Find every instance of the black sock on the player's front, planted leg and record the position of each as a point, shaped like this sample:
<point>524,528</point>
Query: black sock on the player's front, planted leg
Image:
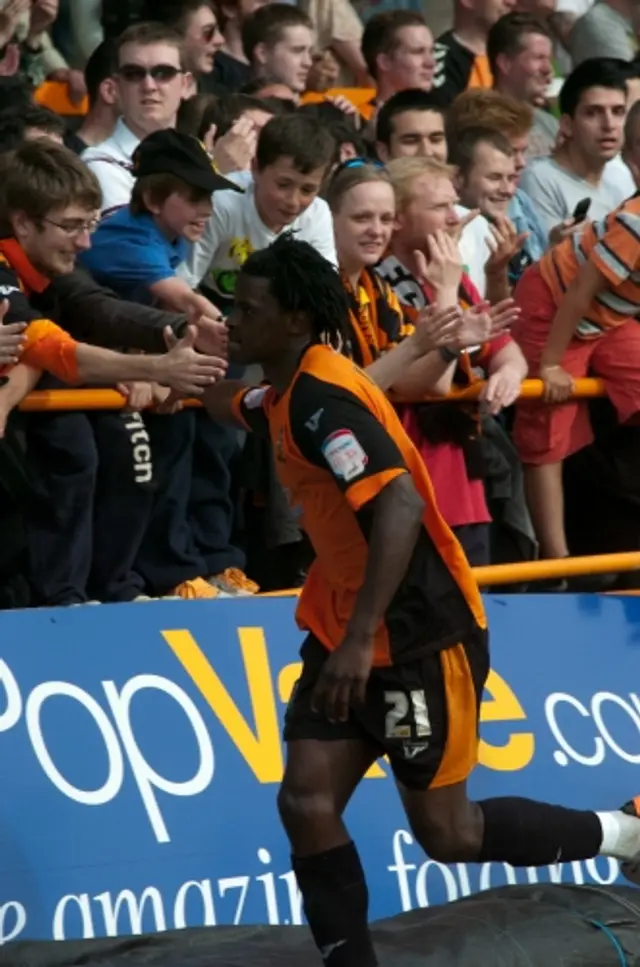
<point>336,902</point>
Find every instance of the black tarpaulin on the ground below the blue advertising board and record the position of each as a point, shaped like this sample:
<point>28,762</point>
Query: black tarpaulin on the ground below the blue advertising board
<point>536,926</point>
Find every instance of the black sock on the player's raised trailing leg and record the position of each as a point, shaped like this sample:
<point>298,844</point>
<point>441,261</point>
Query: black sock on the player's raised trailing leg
<point>523,832</point>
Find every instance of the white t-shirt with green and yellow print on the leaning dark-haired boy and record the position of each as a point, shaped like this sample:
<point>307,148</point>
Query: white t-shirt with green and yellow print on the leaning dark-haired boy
<point>235,230</point>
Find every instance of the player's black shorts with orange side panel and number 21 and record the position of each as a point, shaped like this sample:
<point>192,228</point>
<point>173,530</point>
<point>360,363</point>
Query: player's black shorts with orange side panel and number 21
<point>422,714</point>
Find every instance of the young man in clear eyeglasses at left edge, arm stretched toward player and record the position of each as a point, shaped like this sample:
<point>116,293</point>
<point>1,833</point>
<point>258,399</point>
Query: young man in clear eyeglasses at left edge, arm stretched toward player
<point>48,209</point>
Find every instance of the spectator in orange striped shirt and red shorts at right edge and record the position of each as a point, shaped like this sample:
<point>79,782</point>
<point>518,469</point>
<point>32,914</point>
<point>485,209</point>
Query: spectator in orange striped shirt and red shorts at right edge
<point>580,306</point>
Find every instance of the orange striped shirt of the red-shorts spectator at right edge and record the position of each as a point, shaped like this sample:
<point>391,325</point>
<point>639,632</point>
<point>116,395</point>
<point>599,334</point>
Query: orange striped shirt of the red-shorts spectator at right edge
<point>612,245</point>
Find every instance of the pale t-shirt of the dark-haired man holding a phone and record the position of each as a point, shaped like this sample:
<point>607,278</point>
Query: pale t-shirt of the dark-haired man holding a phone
<point>555,191</point>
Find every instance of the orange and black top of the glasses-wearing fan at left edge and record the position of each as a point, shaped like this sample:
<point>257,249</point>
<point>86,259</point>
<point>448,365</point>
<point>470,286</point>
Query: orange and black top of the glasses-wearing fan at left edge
<point>47,347</point>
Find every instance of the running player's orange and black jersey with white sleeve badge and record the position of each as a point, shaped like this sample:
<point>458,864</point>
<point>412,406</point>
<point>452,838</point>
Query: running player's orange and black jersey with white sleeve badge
<point>337,443</point>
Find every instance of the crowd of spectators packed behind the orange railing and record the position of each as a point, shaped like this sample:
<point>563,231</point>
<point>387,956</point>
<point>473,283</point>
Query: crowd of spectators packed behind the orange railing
<point>147,148</point>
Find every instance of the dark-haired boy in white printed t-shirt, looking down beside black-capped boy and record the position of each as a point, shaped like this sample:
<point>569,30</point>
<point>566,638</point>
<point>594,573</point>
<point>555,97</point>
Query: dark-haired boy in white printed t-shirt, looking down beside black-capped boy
<point>293,157</point>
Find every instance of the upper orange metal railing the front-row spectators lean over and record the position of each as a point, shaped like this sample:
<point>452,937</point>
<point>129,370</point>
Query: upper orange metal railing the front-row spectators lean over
<point>109,399</point>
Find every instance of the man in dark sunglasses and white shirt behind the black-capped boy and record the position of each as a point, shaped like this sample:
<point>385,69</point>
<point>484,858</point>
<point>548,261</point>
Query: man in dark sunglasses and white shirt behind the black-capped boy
<point>151,84</point>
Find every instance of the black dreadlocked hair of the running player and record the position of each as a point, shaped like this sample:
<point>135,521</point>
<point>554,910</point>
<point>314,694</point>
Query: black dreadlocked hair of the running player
<point>302,280</point>
